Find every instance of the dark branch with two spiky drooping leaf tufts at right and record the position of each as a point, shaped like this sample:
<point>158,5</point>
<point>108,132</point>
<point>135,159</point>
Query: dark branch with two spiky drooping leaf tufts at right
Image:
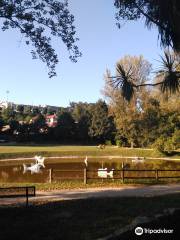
<point>128,81</point>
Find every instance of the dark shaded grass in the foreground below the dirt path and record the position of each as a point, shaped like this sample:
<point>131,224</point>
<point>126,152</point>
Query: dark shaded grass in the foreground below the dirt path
<point>79,219</point>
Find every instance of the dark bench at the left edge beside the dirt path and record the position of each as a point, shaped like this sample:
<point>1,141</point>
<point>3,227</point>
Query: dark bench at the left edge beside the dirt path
<point>15,192</point>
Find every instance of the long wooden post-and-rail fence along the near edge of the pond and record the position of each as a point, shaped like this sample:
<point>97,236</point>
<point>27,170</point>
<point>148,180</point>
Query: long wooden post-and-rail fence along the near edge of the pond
<point>118,174</point>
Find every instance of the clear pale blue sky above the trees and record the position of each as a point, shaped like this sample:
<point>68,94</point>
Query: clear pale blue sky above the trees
<point>101,44</point>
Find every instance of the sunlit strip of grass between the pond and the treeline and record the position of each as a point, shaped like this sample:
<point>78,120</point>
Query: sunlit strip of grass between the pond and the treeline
<point>30,151</point>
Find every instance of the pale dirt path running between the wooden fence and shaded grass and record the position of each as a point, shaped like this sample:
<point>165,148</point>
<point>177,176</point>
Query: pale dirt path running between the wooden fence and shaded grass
<point>129,191</point>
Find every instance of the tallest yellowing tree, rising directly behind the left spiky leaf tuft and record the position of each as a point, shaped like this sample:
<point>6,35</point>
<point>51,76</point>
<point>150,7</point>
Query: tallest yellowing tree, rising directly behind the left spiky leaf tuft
<point>128,115</point>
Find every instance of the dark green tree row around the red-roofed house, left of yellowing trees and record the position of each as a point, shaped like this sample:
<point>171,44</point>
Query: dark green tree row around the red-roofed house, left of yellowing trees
<point>80,122</point>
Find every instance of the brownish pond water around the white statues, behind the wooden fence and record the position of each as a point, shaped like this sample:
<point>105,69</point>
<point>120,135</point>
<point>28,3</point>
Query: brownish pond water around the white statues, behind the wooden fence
<point>13,171</point>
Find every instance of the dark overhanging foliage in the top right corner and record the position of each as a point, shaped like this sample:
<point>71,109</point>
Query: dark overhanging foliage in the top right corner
<point>164,14</point>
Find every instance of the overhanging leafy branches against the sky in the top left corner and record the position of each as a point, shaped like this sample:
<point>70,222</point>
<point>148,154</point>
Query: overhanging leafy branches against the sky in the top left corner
<point>39,21</point>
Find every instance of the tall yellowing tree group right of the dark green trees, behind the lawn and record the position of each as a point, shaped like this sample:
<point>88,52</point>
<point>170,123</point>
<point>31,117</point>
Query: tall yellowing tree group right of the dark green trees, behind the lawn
<point>152,117</point>
